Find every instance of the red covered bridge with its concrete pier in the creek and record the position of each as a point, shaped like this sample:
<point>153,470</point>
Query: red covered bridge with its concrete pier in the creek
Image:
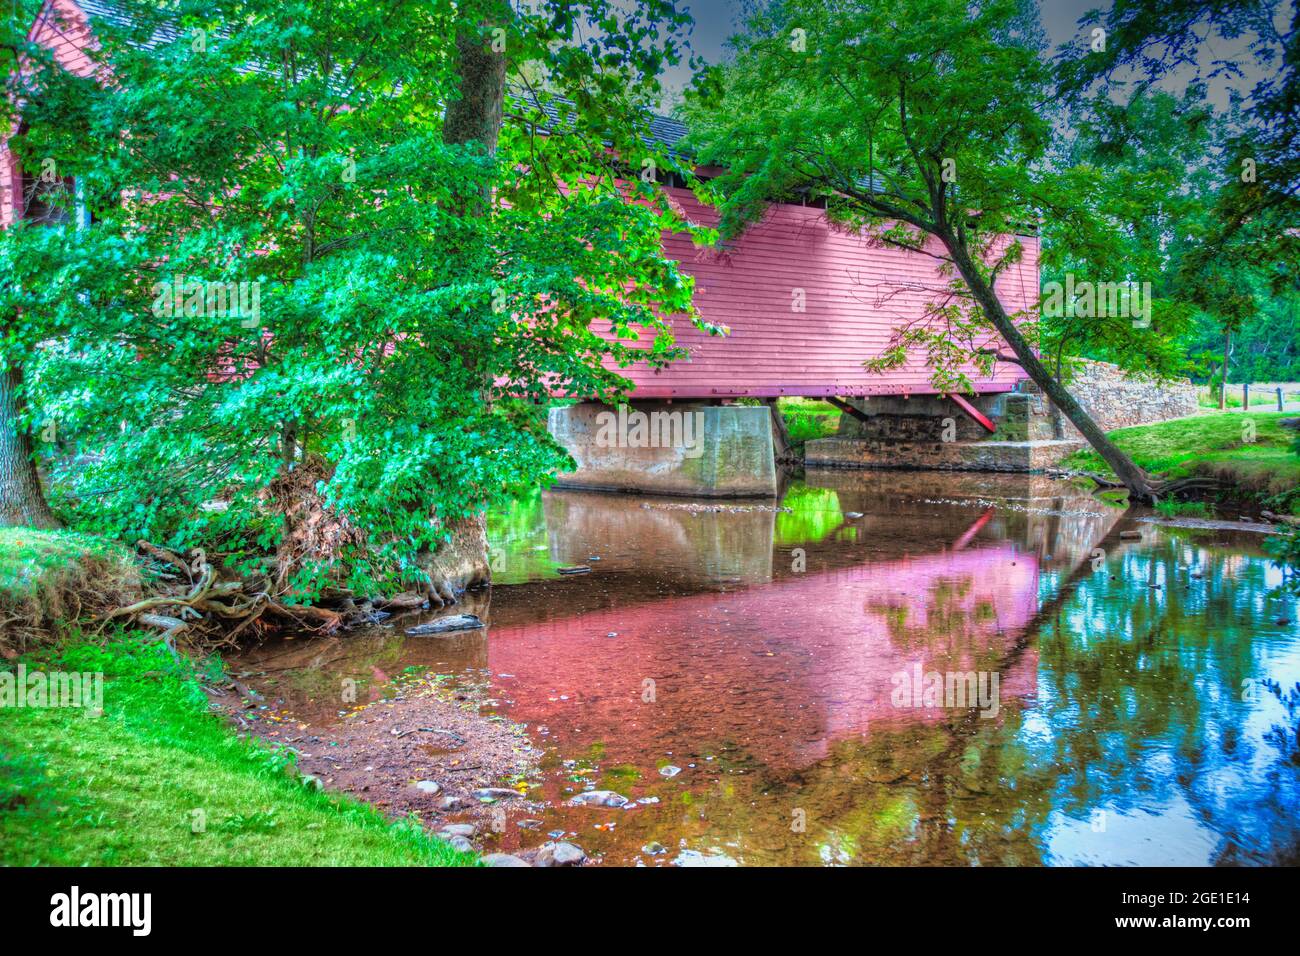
<point>805,304</point>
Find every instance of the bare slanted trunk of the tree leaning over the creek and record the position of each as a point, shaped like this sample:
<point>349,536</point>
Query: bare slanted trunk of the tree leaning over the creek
<point>1134,478</point>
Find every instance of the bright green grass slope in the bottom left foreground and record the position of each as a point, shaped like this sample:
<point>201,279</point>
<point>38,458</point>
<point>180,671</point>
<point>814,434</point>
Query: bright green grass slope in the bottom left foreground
<point>133,786</point>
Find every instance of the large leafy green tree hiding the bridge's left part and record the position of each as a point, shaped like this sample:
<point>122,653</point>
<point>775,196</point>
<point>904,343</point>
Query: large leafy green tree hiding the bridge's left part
<point>335,344</point>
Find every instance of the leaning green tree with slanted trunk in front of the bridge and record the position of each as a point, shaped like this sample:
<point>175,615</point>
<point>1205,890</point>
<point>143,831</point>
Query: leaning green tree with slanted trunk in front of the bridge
<point>928,124</point>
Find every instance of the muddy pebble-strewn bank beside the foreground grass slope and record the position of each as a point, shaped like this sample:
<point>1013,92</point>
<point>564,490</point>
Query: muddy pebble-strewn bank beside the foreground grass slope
<point>410,739</point>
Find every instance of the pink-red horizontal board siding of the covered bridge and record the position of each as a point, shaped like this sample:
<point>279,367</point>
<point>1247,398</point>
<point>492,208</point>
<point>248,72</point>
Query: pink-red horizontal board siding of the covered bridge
<point>856,296</point>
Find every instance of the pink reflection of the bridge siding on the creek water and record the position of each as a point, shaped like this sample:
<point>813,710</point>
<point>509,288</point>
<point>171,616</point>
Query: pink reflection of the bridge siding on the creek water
<point>779,673</point>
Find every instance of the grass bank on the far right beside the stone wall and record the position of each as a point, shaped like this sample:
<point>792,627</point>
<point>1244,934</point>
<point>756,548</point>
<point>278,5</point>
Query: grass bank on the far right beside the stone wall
<point>1220,445</point>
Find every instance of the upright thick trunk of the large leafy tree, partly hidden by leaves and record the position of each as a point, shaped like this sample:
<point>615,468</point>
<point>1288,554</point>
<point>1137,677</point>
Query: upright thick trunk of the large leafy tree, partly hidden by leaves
<point>474,116</point>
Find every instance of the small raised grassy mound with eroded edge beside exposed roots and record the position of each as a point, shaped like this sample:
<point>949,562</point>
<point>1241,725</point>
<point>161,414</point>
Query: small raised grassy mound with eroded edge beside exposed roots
<point>50,578</point>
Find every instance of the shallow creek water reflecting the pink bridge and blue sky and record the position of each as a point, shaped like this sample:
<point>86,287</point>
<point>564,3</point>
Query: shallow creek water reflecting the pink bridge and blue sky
<point>877,669</point>
